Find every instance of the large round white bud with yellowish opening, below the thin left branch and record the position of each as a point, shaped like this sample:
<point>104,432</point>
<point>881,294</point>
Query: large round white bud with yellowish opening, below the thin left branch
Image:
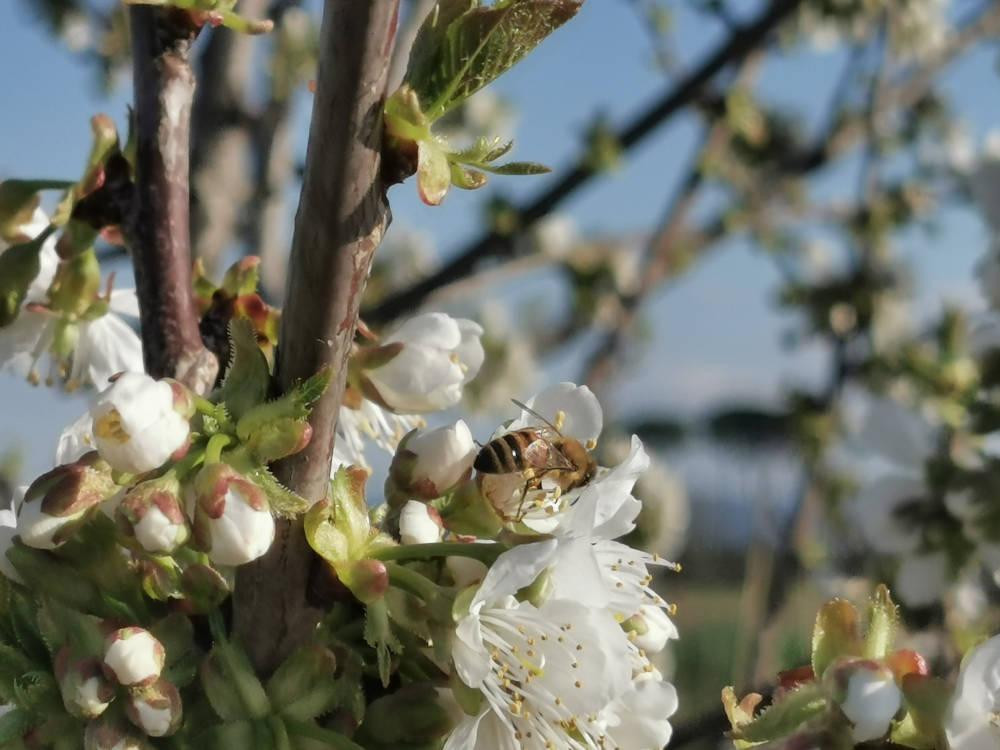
<point>140,423</point>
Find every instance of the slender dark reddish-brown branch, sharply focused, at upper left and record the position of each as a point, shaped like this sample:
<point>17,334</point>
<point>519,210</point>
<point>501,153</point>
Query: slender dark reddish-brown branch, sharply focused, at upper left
<point>158,229</point>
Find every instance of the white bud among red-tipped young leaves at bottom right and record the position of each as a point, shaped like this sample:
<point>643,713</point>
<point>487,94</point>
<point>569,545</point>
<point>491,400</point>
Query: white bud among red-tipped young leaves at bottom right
<point>868,696</point>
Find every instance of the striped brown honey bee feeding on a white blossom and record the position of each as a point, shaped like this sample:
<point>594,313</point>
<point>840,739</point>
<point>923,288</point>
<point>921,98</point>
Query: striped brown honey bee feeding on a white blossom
<point>537,453</point>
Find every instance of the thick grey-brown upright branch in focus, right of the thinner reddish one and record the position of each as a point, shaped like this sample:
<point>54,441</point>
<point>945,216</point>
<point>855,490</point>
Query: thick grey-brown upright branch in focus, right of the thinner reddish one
<point>341,218</point>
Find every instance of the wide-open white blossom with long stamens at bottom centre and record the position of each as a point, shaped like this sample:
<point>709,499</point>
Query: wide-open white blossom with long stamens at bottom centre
<point>540,669</point>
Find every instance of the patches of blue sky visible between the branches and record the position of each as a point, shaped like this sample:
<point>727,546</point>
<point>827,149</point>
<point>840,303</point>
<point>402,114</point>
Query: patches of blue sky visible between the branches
<point>717,332</point>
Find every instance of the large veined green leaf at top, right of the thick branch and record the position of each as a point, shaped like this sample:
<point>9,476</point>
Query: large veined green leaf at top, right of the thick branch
<point>463,45</point>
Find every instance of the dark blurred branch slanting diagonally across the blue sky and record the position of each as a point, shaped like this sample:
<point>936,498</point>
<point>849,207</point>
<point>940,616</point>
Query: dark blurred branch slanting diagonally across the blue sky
<point>687,91</point>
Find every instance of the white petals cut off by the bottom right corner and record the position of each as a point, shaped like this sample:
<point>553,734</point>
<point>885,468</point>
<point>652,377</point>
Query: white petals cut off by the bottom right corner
<point>970,723</point>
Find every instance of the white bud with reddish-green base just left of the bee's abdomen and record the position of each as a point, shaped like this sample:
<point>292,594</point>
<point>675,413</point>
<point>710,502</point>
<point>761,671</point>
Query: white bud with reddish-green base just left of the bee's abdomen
<point>443,457</point>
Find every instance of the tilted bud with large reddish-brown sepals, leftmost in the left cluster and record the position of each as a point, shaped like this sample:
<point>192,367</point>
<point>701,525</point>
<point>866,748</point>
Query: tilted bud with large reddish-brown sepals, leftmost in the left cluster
<point>58,501</point>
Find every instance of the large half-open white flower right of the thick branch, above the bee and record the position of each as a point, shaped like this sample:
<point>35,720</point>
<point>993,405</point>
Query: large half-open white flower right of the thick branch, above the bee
<point>437,357</point>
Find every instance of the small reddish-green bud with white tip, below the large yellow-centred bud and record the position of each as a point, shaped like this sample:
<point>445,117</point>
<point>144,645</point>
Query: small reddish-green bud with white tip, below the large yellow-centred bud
<point>152,513</point>
